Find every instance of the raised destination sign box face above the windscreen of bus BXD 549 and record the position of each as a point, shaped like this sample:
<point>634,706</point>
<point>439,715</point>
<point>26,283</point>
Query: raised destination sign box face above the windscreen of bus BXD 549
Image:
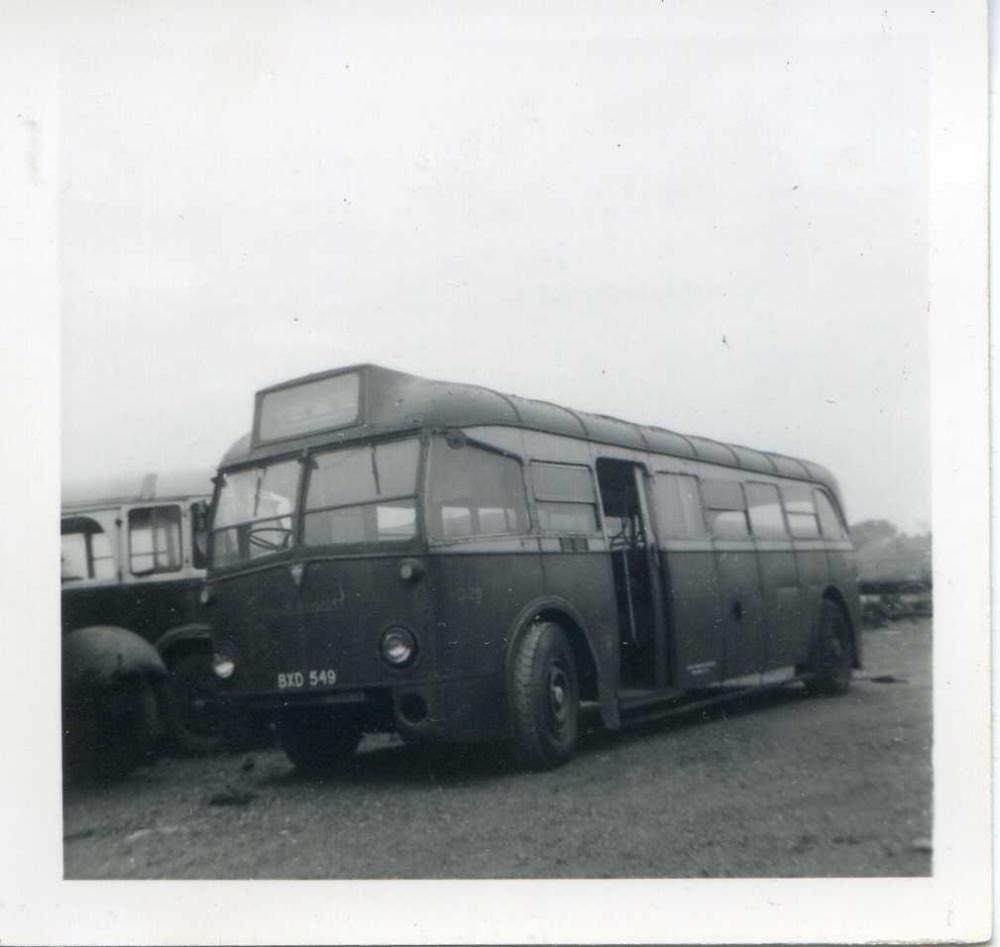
<point>313,406</point>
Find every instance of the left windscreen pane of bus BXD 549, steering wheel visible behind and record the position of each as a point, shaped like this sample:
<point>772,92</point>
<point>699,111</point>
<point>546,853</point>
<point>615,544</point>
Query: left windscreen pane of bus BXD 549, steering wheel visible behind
<point>253,515</point>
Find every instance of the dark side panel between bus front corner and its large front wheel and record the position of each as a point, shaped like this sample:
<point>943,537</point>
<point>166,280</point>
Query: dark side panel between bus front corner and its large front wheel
<point>476,598</point>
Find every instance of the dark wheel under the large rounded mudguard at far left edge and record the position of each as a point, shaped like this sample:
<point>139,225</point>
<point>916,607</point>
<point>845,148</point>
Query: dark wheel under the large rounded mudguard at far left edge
<point>109,732</point>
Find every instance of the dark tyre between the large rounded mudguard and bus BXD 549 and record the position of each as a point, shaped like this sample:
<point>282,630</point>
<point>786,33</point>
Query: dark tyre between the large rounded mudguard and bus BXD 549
<point>196,721</point>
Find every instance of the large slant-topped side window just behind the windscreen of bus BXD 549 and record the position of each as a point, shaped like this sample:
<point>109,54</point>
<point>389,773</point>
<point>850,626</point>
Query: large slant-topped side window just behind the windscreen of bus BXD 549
<point>473,492</point>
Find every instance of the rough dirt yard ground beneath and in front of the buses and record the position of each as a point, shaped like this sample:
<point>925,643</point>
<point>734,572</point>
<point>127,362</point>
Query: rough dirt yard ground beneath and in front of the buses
<point>778,785</point>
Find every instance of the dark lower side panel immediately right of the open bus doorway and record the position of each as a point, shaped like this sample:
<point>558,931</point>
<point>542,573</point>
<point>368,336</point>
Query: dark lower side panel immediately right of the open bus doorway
<point>695,616</point>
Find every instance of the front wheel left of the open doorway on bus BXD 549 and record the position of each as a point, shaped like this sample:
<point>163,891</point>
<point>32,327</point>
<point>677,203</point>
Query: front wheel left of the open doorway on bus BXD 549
<point>545,698</point>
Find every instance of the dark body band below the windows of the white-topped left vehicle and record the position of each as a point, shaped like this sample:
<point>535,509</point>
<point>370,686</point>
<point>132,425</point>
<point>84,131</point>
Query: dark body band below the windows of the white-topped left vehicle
<point>148,609</point>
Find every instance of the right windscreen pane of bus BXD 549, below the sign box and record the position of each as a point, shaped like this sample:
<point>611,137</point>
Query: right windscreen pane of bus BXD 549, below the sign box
<point>362,494</point>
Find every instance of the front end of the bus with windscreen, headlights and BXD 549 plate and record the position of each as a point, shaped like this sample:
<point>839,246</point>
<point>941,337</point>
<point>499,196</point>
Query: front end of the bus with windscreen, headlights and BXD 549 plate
<point>323,600</point>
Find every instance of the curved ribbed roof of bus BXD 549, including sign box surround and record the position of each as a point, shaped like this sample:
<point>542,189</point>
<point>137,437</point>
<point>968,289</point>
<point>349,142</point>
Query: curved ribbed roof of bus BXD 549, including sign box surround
<point>392,401</point>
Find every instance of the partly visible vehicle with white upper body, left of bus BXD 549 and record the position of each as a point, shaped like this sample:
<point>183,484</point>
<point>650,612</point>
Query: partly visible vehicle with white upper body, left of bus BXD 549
<point>137,657</point>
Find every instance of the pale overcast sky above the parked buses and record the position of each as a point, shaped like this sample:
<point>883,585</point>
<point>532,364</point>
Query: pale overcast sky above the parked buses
<point>718,227</point>
